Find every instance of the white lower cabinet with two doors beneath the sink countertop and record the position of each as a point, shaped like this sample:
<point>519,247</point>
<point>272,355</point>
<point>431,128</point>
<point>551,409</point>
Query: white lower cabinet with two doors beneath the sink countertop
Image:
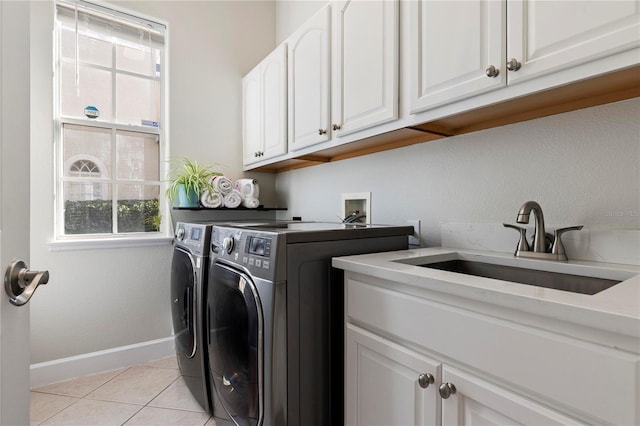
<point>417,358</point>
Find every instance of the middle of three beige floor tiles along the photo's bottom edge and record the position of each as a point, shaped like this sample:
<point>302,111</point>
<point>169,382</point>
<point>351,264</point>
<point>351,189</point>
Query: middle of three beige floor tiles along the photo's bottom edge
<point>95,413</point>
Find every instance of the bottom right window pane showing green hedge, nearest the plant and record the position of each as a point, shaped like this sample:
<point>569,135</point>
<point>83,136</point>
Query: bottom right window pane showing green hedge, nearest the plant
<point>138,208</point>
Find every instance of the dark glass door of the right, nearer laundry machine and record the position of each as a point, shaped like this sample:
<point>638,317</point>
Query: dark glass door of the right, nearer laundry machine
<point>235,349</point>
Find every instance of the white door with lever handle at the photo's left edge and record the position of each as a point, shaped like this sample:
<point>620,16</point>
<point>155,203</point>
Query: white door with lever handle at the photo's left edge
<point>14,206</point>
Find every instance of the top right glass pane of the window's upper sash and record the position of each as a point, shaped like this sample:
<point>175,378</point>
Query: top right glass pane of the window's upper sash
<point>135,57</point>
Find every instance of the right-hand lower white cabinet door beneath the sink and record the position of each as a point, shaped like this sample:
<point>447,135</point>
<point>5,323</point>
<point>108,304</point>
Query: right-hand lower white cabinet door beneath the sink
<point>478,402</point>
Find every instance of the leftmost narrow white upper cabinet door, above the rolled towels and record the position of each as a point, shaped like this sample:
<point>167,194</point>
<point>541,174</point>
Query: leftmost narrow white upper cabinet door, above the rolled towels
<point>251,116</point>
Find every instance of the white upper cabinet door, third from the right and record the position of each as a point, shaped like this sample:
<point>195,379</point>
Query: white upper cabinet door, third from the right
<point>365,64</point>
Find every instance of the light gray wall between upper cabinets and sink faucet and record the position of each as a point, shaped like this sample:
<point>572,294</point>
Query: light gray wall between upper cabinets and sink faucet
<point>582,167</point>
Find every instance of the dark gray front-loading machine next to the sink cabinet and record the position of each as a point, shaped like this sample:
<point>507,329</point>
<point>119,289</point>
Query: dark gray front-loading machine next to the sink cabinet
<point>275,319</point>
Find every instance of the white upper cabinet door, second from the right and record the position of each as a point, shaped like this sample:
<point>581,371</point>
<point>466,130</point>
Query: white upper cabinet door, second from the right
<point>458,48</point>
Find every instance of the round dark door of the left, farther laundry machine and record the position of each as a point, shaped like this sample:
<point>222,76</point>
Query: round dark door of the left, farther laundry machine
<point>183,279</point>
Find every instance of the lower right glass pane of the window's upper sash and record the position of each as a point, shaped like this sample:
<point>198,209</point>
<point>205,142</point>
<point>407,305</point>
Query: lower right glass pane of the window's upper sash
<point>136,100</point>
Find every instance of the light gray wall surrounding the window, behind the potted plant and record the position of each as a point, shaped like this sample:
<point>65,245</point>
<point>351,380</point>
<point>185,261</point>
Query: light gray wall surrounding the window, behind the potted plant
<point>107,298</point>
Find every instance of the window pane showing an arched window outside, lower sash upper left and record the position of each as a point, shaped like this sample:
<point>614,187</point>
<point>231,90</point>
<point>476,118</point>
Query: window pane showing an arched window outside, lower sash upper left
<point>86,152</point>
